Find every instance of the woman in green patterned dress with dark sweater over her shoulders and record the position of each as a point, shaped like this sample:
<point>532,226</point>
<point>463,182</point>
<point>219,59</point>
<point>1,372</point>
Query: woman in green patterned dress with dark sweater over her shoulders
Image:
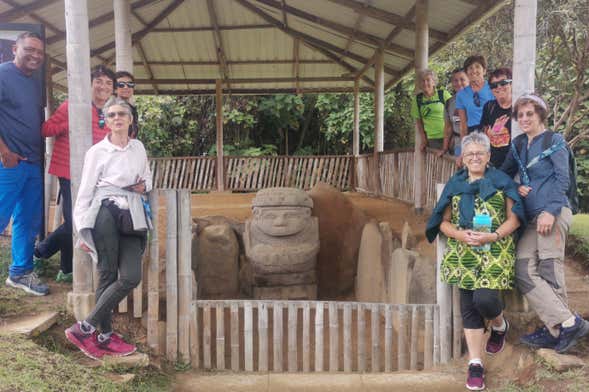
<point>479,260</point>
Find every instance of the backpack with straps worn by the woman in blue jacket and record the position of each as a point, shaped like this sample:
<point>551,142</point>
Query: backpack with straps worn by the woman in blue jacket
<point>548,148</point>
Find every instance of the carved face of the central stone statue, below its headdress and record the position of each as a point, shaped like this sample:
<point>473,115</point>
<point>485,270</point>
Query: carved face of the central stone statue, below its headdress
<point>281,221</point>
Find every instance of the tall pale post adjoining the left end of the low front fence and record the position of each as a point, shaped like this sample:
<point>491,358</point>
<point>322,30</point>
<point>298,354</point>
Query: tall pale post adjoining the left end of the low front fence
<point>184,273</point>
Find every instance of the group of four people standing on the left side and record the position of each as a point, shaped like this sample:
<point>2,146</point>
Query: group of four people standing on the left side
<point>109,215</point>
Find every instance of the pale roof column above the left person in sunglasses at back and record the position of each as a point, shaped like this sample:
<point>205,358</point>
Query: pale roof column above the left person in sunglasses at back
<point>123,45</point>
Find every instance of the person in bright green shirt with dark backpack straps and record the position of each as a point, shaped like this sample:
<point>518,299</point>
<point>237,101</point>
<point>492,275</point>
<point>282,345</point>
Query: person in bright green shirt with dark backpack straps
<point>427,109</point>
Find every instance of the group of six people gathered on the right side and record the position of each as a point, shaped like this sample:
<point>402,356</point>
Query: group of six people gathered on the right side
<point>502,234</point>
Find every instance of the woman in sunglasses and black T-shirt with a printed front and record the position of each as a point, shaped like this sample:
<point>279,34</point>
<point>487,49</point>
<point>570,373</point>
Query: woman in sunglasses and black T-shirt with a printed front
<point>496,120</point>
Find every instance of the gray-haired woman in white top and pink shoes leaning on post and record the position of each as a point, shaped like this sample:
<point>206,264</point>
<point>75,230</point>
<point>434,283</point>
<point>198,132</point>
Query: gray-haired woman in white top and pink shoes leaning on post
<point>112,225</point>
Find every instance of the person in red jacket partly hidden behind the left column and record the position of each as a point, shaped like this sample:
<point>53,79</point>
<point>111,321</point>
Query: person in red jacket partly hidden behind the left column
<point>102,79</point>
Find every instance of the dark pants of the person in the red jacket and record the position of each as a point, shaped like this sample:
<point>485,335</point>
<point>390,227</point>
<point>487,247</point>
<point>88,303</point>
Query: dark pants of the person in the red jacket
<point>61,239</point>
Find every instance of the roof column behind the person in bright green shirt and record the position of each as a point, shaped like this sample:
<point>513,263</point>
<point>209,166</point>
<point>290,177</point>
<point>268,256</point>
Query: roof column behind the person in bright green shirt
<point>421,59</point>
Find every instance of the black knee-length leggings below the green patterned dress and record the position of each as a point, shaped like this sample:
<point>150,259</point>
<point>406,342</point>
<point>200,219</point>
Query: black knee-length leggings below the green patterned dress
<point>478,305</point>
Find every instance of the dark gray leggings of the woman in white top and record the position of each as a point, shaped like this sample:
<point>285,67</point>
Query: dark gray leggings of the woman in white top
<point>119,267</point>
